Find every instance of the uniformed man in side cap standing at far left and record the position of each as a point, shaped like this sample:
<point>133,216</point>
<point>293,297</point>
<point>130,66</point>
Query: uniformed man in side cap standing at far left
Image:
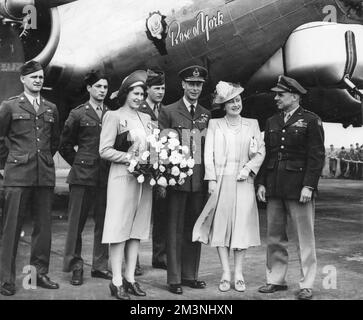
<point>29,123</point>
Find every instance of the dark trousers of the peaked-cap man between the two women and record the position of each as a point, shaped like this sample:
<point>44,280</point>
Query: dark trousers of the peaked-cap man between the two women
<point>183,255</point>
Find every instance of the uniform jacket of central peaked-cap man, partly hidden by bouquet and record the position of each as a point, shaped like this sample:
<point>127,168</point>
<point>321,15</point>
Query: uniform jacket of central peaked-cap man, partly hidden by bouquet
<point>192,132</point>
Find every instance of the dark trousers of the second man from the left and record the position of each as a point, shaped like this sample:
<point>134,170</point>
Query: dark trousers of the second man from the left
<point>83,200</point>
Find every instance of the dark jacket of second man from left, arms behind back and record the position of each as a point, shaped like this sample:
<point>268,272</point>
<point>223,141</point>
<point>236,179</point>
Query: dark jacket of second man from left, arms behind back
<point>83,129</point>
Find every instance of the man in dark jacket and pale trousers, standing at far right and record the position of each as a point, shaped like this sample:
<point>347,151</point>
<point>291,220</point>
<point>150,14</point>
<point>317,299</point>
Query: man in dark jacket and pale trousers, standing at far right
<point>289,177</point>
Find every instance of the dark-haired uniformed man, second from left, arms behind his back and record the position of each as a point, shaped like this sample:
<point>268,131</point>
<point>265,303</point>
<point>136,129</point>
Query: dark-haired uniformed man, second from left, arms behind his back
<point>87,179</point>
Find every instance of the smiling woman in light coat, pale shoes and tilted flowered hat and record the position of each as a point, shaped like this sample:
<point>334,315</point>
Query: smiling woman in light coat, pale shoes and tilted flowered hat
<point>234,152</point>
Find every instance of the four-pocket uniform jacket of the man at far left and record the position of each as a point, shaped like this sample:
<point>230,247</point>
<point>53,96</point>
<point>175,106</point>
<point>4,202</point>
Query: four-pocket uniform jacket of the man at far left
<point>31,140</point>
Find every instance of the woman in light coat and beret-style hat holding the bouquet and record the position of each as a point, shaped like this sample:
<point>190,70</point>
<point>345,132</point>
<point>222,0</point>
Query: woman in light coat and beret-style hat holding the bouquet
<point>128,211</point>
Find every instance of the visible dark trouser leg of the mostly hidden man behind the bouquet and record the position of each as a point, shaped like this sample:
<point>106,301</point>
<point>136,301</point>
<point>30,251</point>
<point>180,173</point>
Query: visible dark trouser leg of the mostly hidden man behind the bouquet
<point>159,215</point>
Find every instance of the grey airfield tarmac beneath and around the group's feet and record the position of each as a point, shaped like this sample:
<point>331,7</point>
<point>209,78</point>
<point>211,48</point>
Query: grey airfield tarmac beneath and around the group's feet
<point>339,243</point>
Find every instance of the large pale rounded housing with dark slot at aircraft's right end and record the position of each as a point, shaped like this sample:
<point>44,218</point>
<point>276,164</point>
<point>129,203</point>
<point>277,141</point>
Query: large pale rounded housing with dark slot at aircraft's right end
<point>318,54</point>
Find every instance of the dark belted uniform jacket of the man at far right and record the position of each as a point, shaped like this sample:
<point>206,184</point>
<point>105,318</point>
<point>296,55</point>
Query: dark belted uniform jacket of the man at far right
<point>295,154</point>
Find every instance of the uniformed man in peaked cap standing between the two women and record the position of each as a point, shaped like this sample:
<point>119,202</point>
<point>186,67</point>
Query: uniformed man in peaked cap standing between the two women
<point>185,202</point>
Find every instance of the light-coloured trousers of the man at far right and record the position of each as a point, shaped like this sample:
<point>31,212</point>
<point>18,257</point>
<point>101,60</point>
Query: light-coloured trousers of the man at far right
<point>302,220</point>
